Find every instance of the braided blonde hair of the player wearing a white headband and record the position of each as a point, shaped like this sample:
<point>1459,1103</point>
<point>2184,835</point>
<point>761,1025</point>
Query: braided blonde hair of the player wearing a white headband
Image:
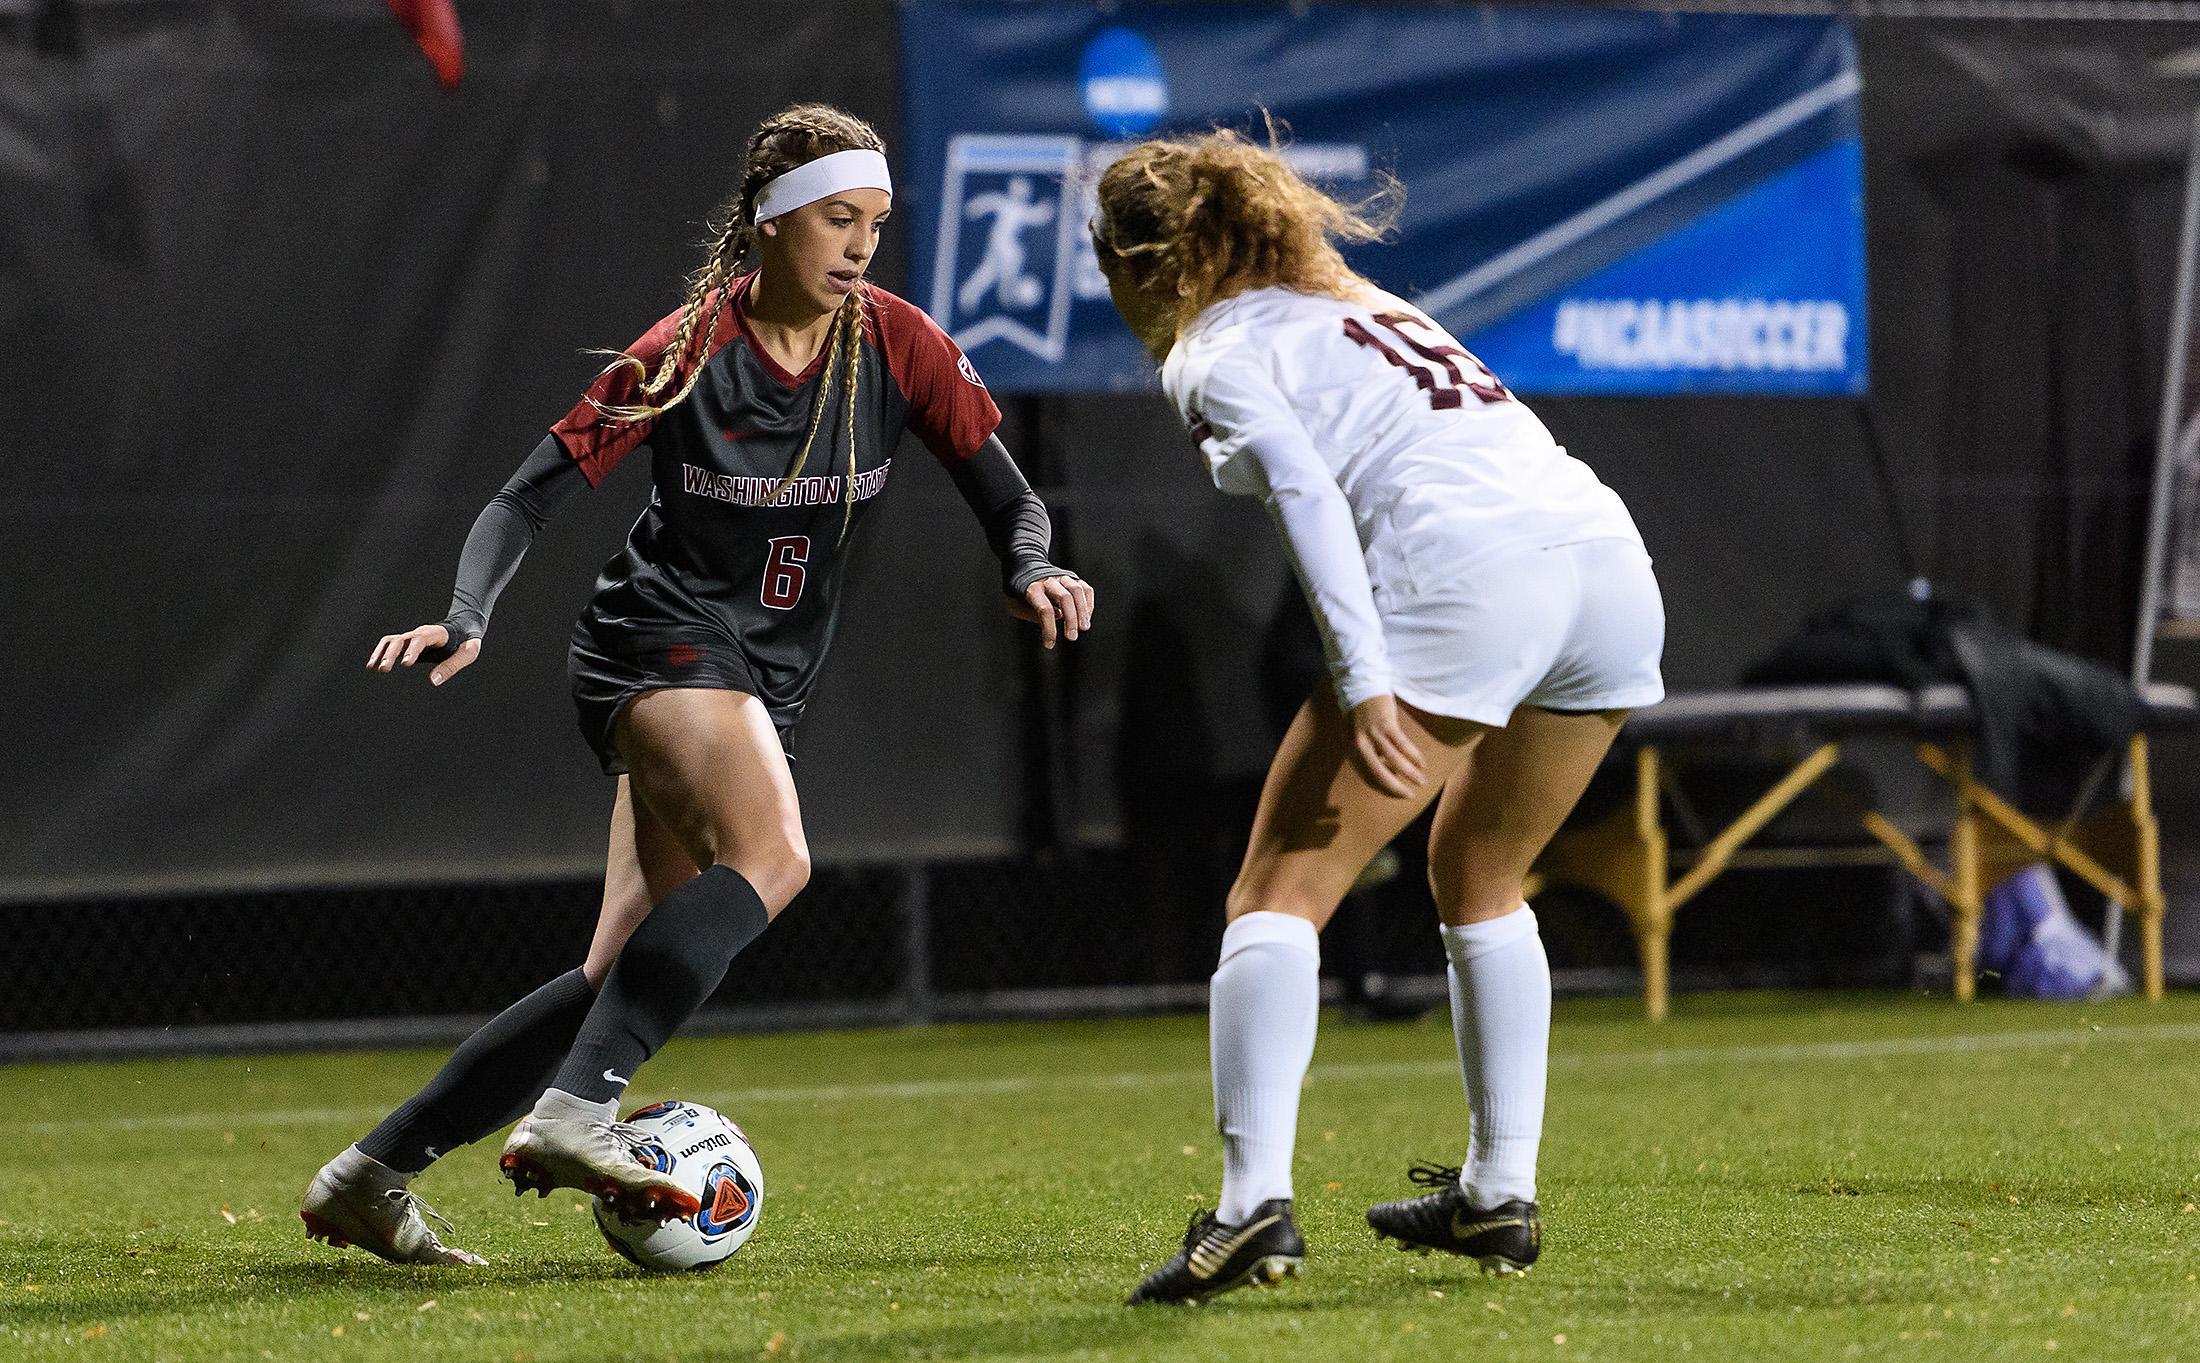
<point>791,137</point>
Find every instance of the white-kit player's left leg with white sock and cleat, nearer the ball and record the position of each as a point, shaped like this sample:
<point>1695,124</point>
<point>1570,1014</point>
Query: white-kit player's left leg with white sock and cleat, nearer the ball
<point>1319,825</point>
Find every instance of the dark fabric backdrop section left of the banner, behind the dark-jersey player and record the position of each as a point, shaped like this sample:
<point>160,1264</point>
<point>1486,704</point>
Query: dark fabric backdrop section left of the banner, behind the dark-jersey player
<point>278,315</point>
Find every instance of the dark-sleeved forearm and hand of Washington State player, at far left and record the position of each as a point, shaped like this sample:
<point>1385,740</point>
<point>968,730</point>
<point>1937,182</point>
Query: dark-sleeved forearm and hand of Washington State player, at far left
<point>498,542</point>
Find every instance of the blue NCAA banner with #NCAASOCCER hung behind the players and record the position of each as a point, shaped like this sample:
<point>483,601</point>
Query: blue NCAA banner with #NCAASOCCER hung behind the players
<point>1598,203</point>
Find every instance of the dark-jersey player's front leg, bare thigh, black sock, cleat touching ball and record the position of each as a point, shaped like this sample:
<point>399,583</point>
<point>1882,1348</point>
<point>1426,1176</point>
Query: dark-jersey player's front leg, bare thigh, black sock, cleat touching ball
<point>709,771</point>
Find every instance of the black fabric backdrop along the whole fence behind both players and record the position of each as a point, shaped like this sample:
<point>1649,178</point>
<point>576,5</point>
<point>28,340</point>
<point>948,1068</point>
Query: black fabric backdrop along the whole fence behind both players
<point>278,315</point>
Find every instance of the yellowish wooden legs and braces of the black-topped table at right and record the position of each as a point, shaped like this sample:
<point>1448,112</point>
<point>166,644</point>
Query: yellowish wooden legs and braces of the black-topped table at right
<point>1627,856</point>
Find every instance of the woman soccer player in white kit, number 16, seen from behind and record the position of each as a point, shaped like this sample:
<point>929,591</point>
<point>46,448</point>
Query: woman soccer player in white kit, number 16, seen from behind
<point>1488,614</point>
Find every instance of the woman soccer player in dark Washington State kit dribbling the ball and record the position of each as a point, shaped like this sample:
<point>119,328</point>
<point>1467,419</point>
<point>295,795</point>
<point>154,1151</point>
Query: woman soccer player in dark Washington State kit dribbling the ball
<point>771,406</point>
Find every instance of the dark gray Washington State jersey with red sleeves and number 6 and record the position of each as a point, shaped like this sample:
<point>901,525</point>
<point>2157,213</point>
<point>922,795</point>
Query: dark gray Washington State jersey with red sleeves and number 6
<point>731,551</point>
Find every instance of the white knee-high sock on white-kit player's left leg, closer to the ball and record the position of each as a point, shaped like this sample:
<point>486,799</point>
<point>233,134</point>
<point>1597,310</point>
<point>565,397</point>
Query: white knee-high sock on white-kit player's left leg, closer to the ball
<point>1262,1015</point>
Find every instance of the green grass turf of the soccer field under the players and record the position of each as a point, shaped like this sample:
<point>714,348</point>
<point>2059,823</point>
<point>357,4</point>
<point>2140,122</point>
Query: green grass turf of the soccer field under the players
<point>1765,1177</point>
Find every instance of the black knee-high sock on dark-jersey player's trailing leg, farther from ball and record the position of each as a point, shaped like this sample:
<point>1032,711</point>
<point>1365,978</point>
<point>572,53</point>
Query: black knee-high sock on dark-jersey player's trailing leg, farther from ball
<point>494,1078</point>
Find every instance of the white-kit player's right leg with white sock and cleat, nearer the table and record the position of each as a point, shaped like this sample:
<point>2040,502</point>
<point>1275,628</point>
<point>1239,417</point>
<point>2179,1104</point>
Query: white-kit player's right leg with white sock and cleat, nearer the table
<point>1493,823</point>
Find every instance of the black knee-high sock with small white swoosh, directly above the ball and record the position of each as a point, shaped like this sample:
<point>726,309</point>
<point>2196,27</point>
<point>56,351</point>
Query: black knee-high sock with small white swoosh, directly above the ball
<point>663,975</point>
